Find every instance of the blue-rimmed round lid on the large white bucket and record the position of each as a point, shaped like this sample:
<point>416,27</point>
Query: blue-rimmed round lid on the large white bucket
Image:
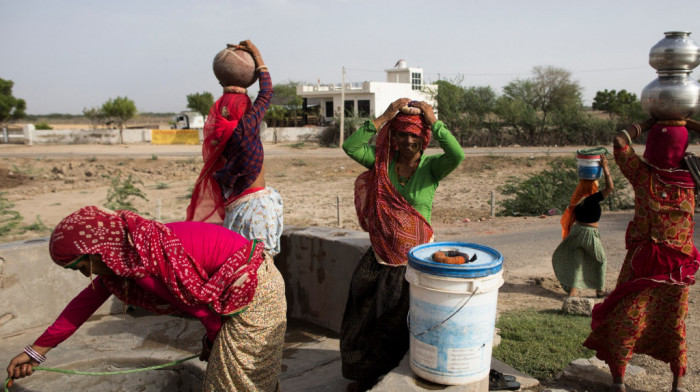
<point>488,260</point>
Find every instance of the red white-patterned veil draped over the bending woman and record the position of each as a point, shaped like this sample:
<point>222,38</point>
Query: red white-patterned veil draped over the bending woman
<point>134,247</point>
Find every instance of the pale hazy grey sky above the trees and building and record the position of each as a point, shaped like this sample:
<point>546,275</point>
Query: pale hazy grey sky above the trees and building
<point>67,55</point>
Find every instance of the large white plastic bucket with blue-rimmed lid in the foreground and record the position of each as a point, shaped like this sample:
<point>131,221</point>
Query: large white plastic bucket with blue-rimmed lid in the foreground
<point>452,314</point>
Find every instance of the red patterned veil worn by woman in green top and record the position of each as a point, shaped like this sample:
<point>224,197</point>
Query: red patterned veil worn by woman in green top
<point>394,226</point>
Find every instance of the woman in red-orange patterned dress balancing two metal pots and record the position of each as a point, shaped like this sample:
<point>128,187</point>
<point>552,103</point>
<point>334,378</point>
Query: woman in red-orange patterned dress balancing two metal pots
<point>646,311</point>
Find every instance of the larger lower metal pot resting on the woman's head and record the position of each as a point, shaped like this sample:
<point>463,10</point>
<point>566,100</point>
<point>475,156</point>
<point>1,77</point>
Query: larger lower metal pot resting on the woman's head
<point>671,96</point>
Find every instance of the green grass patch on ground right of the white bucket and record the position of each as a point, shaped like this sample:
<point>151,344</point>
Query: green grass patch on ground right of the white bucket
<point>541,343</point>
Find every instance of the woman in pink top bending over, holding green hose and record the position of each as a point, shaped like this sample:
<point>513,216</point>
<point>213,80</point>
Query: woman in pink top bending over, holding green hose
<point>184,268</point>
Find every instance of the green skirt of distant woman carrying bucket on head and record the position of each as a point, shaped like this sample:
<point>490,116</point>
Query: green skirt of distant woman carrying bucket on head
<point>579,261</point>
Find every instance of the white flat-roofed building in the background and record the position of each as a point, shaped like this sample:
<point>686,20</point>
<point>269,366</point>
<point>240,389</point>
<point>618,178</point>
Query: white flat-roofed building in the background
<point>370,99</point>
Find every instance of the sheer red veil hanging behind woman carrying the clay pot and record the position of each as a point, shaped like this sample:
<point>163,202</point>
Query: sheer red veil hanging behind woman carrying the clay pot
<point>207,202</point>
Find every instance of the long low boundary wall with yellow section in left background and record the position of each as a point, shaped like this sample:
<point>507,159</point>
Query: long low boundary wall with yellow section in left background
<point>28,134</point>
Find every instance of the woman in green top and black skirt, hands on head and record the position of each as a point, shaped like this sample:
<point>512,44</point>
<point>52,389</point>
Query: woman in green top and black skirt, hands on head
<point>394,200</point>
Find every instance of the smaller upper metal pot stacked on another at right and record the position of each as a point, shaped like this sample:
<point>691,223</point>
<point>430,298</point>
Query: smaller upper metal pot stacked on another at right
<point>676,51</point>
